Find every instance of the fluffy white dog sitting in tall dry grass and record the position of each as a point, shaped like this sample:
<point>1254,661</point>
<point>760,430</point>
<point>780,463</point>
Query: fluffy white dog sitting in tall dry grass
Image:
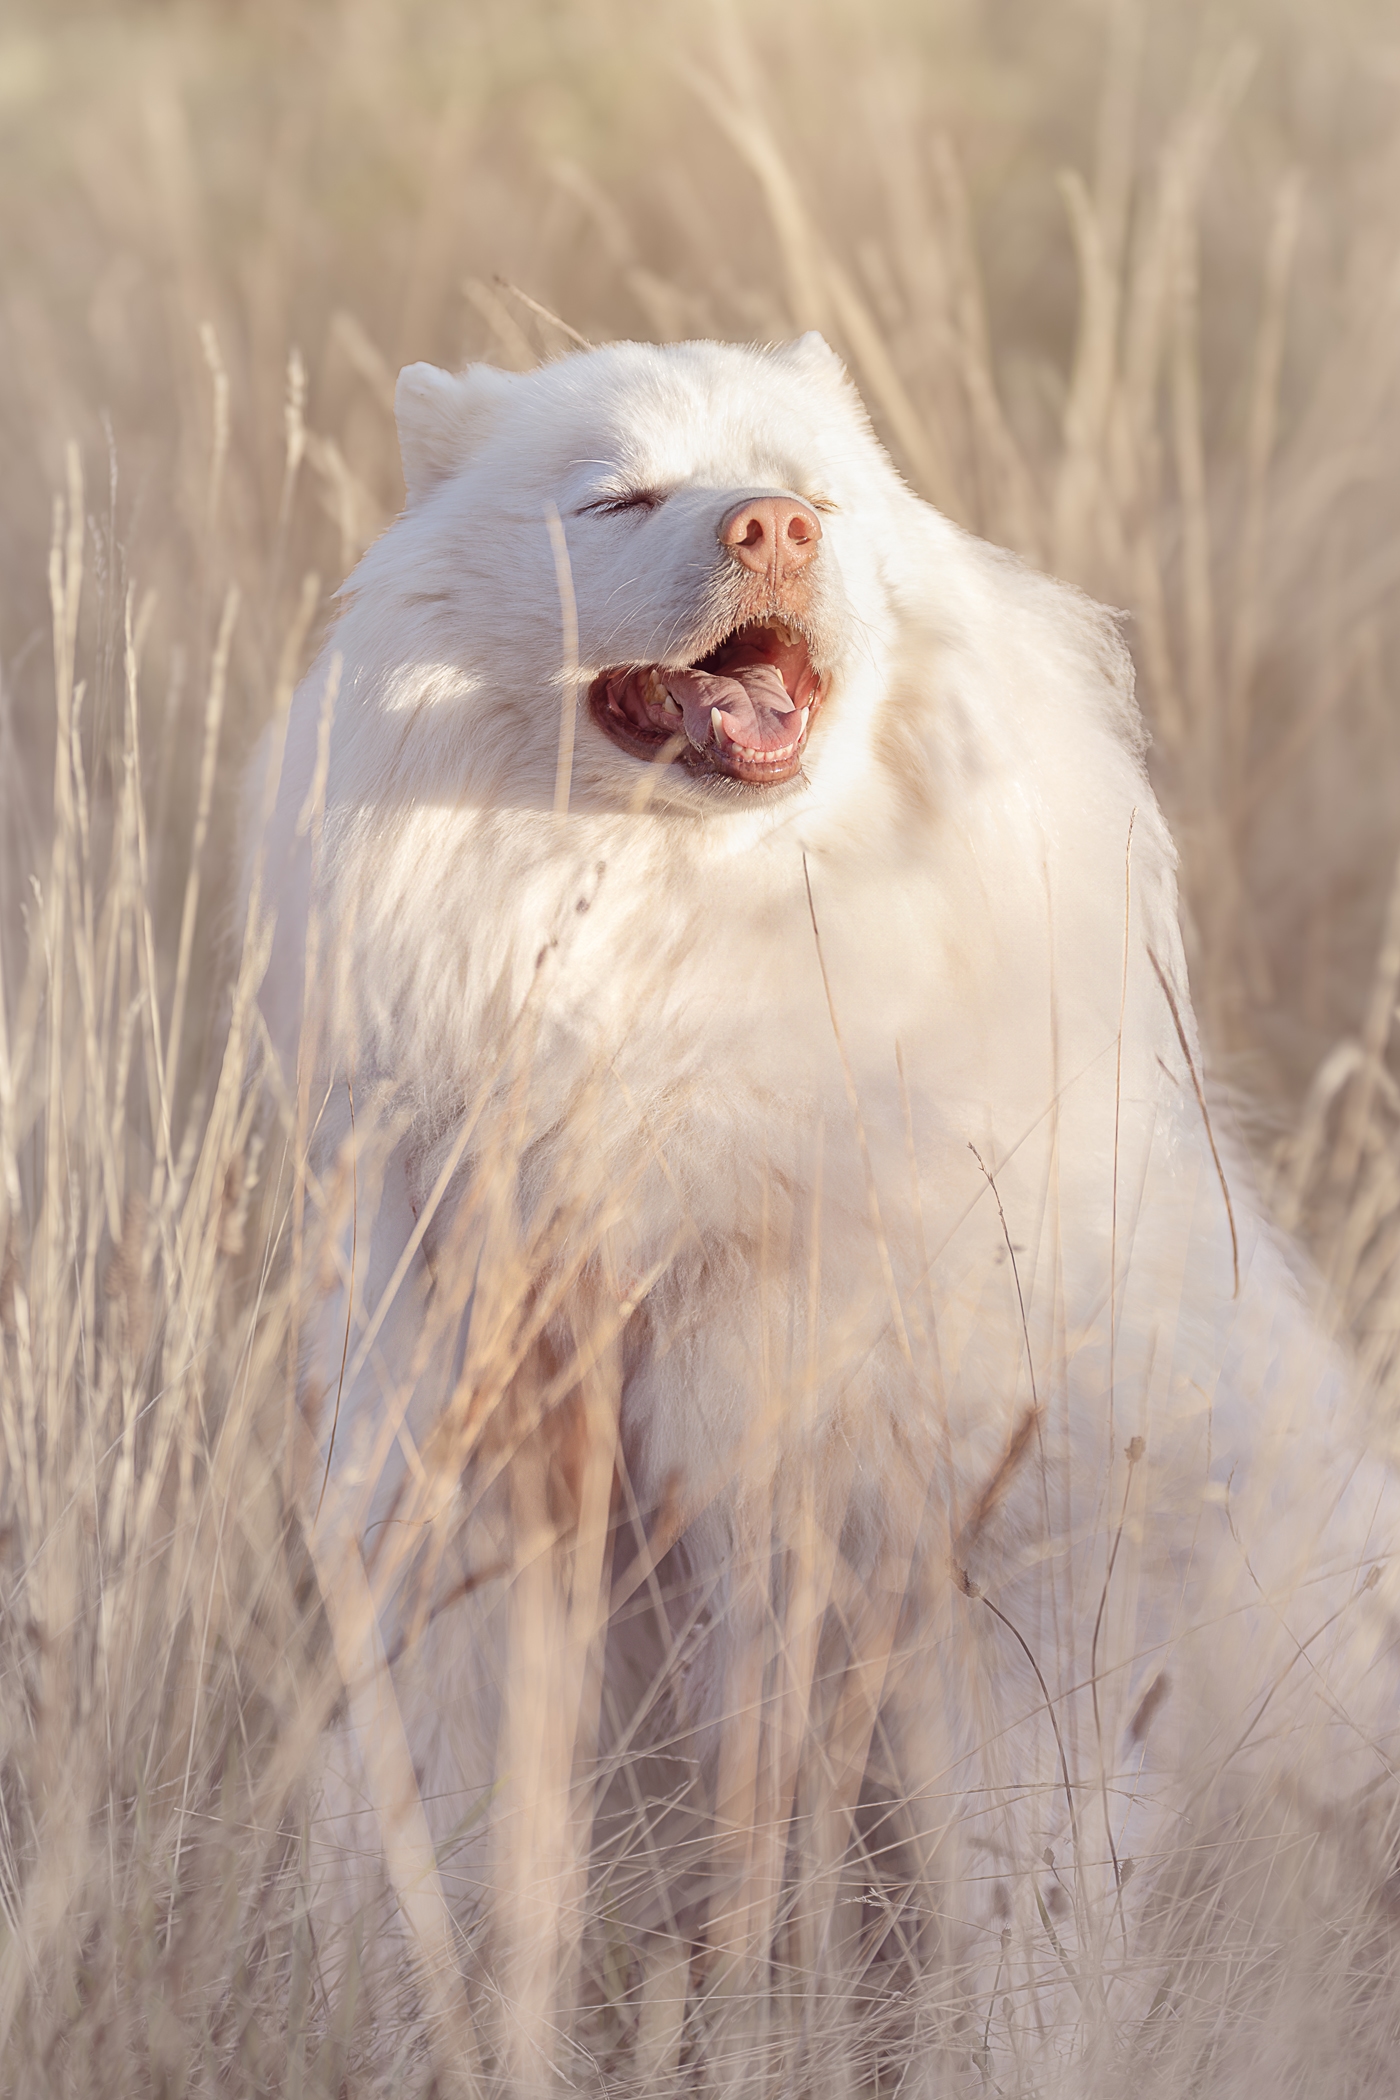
<point>853,1496</point>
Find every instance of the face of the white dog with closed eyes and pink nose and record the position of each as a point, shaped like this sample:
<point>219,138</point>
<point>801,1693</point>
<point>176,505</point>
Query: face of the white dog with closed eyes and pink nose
<point>723,524</point>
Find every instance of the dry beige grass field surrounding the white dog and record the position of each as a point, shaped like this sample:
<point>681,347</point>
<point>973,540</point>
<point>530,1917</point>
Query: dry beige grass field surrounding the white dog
<point>1120,282</point>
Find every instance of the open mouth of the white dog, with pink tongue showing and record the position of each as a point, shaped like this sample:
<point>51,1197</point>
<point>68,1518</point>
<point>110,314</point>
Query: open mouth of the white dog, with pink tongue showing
<point>744,711</point>
